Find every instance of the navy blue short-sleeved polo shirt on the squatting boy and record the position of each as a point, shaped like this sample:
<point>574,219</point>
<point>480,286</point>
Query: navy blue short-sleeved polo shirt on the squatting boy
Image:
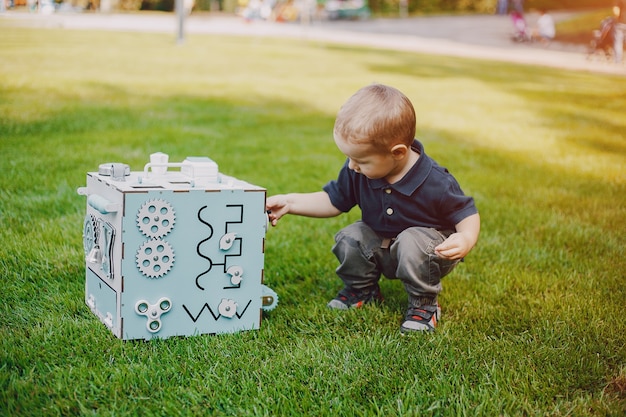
<point>427,196</point>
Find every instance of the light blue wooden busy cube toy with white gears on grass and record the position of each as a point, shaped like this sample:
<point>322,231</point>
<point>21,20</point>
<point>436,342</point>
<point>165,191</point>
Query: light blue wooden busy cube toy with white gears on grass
<point>174,252</point>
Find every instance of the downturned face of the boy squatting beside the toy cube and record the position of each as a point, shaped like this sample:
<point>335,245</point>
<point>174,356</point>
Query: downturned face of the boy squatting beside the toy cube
<point>366,161</point>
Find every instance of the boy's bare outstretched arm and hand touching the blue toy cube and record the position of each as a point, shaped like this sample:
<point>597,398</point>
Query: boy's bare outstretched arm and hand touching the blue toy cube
<point>308,204</point>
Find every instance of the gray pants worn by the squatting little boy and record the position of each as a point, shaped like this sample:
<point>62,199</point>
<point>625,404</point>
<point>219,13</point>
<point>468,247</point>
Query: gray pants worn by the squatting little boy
<point>364,256</point>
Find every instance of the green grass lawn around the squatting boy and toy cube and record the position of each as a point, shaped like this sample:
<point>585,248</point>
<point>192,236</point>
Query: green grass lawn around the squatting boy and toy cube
<point>533,321</point>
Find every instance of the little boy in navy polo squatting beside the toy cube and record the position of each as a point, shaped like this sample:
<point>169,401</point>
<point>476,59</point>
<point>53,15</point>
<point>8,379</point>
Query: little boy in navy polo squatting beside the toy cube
<point>416,222</point>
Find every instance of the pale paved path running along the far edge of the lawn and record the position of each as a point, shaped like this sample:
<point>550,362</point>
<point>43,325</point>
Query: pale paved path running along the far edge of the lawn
<point>482,36</point>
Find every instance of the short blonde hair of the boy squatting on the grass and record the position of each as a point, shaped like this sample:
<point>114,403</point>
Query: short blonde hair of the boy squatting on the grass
<point>376,115</point>
